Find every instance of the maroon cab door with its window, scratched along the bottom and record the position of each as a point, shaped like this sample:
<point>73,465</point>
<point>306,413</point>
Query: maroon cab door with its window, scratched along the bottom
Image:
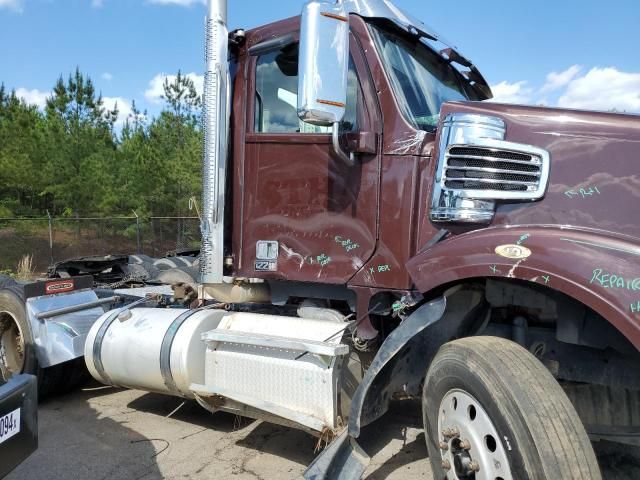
<point>306,214</point>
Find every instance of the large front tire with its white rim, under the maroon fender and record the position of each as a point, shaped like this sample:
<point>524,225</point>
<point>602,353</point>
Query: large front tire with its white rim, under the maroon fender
<point>491,410</point>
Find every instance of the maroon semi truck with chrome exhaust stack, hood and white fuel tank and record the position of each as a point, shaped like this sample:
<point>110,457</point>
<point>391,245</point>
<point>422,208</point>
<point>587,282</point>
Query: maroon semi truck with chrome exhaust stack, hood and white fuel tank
<point>373,226</point>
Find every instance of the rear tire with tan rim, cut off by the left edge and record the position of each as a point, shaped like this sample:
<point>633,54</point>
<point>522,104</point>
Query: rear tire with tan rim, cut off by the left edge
<point>17,349</point>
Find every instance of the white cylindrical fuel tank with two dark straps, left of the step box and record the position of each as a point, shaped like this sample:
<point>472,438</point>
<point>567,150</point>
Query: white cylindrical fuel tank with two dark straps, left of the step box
<point>158,350</point>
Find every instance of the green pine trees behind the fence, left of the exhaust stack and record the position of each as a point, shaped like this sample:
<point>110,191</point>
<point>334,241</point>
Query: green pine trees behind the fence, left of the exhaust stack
<point>71,158</point>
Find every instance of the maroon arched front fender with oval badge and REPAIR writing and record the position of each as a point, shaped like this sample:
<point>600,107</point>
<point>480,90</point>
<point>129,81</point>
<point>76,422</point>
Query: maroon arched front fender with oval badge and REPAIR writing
<point>599,269</point>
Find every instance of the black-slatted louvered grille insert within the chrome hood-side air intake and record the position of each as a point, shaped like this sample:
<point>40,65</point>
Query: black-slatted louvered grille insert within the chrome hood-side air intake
<point>473,168</point>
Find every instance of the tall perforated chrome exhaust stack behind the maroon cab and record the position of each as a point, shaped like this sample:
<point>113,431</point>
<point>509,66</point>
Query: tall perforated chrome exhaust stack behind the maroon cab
<point>216,128</point>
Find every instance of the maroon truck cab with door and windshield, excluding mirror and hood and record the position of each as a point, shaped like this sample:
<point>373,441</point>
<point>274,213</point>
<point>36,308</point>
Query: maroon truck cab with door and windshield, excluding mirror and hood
<point>335,221</point>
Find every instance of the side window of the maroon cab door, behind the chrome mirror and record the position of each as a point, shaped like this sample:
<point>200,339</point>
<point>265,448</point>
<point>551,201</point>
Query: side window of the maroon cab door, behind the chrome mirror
<point>276,97</point>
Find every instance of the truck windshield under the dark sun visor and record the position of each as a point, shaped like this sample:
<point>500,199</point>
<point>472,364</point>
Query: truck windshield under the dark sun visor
<point>422,80</point>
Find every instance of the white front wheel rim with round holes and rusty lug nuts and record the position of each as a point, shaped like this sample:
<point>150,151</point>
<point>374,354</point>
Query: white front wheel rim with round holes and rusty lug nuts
<point>469,443</point>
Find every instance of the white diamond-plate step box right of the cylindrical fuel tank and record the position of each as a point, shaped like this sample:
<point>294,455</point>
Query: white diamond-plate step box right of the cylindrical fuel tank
<point>270,375</point>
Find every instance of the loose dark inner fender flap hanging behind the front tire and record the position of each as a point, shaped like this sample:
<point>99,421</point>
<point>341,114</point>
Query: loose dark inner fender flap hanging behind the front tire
<point>400,365</point>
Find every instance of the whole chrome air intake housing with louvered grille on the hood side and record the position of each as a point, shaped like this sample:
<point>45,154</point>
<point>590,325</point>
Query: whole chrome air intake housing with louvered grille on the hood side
<point>477,168</point>
